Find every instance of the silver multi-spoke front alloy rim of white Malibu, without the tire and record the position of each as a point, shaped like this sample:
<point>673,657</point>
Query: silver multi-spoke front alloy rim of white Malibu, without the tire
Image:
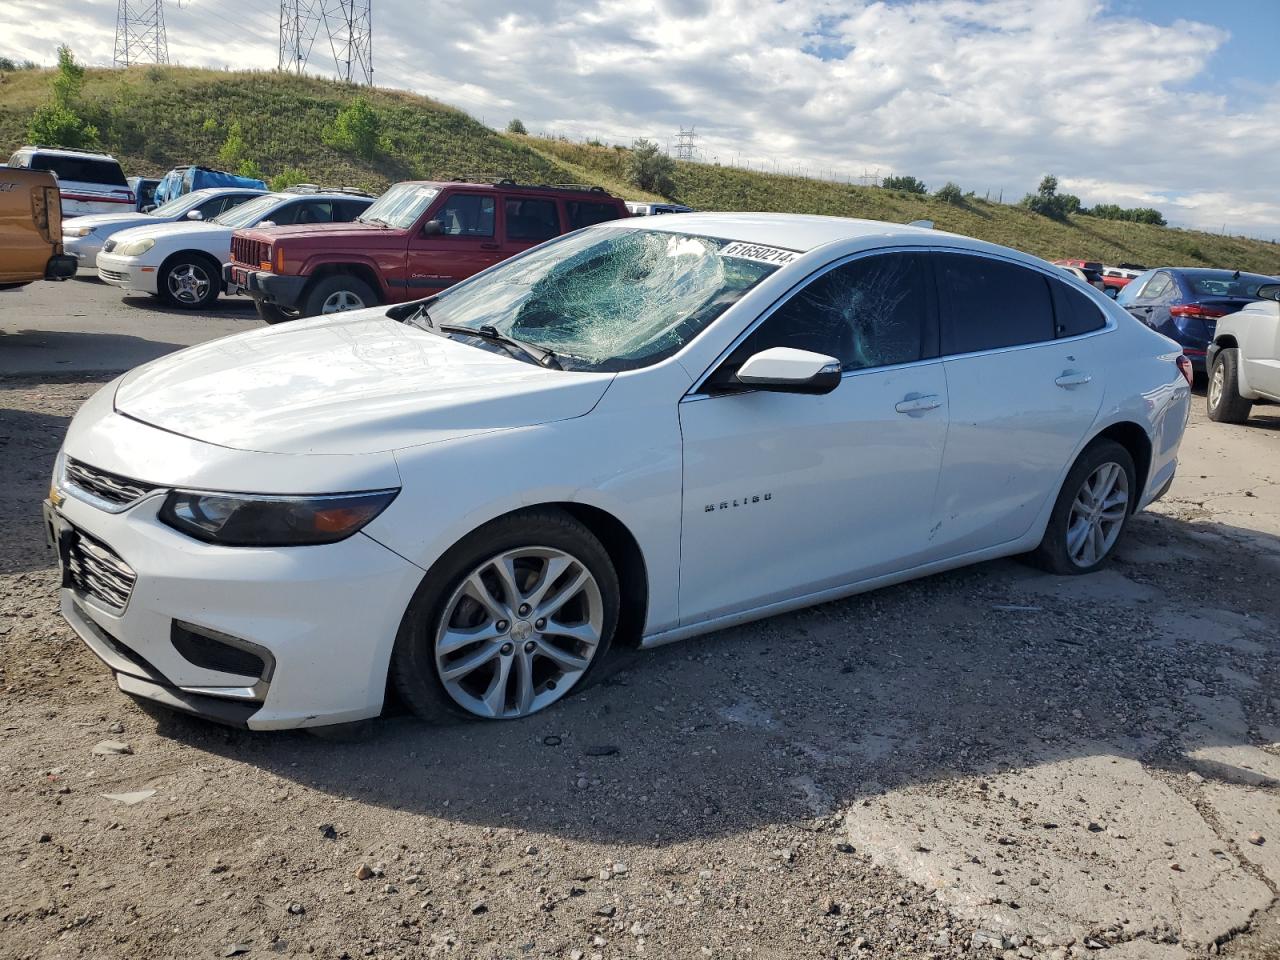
<point>519,632</point>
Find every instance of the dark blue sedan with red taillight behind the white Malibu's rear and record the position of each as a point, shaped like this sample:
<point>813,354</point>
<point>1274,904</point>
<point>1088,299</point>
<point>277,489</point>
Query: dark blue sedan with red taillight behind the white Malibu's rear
<point>1185,304</point>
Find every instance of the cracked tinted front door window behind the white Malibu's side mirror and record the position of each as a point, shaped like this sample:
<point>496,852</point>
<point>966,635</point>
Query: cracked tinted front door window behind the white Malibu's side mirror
<point>868,313</point>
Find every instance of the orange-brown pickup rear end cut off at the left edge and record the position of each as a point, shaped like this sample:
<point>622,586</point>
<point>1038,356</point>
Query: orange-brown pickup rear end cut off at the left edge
<point>30,230</point>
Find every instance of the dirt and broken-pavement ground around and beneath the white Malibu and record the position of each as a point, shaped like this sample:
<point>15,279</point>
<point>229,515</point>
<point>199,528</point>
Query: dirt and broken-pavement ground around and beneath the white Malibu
<point>991,762</point>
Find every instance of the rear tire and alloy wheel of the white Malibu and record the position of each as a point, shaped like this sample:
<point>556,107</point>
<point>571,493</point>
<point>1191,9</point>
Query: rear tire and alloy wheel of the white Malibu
<point>1091,514</point>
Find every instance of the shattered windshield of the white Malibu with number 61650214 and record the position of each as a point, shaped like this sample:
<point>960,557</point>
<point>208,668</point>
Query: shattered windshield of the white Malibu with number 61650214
<point>611,299</point>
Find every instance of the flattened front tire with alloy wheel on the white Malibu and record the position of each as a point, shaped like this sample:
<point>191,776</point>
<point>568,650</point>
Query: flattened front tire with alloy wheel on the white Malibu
<point>510,621</point>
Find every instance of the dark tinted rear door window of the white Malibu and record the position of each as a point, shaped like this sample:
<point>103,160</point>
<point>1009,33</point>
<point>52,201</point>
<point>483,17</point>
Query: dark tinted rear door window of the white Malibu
<point>991,304</point>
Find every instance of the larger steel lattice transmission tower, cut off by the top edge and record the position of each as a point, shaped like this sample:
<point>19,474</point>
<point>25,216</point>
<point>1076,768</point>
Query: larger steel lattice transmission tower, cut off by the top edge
<point>350,28</point>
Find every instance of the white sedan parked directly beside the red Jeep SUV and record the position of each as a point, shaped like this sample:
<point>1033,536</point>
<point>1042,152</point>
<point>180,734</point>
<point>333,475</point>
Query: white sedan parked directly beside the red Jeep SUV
<point>182,262</point>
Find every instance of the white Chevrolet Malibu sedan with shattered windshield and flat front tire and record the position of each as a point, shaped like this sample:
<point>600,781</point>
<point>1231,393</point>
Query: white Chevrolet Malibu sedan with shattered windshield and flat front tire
<point>633,435</point>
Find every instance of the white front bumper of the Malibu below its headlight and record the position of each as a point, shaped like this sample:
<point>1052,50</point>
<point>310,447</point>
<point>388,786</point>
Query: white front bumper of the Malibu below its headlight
<point>323,618</point>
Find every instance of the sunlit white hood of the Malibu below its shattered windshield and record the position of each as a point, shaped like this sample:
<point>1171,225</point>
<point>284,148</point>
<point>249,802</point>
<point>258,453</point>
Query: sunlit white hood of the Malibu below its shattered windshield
<point>350,383</point>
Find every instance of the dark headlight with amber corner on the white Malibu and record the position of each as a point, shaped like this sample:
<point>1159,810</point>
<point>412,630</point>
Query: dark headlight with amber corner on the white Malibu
<point>248,520</point>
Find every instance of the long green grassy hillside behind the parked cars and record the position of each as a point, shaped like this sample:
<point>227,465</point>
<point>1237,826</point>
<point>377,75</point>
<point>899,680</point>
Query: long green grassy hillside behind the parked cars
<point>154,118</point>
